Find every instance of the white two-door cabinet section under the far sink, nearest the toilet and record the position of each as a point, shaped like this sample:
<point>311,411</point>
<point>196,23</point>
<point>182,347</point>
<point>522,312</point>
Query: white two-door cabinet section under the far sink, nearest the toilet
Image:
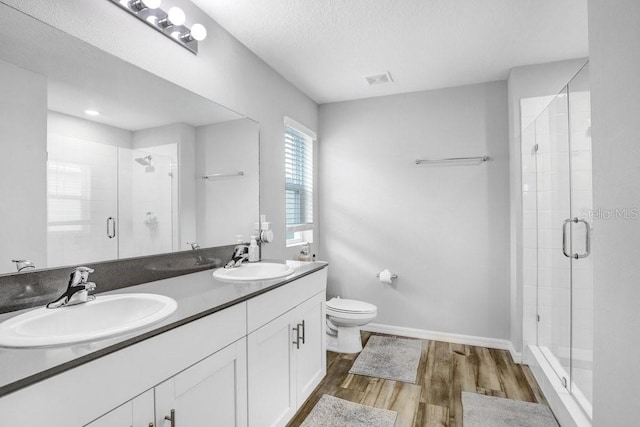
<point>286,349</point>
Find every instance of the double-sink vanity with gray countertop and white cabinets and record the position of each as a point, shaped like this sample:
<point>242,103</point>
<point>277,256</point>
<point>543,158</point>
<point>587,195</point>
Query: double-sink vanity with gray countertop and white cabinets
<point>234,350</point>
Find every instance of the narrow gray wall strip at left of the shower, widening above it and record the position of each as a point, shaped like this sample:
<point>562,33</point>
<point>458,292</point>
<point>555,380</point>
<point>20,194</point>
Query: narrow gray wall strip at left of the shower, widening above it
<point>526,82</point>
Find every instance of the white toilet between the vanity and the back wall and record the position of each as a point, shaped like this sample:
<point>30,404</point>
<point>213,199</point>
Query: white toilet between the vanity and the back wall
<point>344,319</point>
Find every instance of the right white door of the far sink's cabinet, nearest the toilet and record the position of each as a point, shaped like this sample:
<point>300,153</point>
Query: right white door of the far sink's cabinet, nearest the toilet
<point>311,357</point>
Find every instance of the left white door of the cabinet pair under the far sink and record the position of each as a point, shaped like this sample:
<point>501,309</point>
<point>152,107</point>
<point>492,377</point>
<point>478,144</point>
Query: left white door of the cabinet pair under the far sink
<point>272,400</point>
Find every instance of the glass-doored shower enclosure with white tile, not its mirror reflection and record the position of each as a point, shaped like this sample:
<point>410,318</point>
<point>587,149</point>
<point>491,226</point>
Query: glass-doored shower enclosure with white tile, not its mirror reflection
<point>557,217</point>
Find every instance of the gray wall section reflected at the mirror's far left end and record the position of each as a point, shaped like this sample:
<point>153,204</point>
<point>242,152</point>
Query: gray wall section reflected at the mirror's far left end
<point>23,120</point>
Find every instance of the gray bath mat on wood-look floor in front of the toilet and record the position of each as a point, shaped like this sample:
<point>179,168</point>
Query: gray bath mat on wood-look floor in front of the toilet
<point>389,358</point>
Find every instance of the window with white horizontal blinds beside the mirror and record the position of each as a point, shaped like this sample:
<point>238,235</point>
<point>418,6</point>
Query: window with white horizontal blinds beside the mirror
<point>298,160</point>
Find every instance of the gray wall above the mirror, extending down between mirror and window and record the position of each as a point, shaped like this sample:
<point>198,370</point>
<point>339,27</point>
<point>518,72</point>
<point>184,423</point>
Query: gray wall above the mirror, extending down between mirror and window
<point>224,71</point>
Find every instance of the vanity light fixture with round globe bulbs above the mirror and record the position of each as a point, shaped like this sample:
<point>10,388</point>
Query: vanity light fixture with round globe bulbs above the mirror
<point>170,23</point>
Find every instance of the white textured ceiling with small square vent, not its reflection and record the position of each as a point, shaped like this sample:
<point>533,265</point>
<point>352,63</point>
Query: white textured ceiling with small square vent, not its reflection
<point>327,47</point>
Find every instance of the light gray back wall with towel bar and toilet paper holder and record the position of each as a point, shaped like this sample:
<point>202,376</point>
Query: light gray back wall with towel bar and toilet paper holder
<point>443,229</point>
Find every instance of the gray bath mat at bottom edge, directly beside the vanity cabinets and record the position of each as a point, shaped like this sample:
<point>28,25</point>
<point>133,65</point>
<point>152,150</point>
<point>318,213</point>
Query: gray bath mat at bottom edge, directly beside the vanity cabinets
<point>334,412</point>
